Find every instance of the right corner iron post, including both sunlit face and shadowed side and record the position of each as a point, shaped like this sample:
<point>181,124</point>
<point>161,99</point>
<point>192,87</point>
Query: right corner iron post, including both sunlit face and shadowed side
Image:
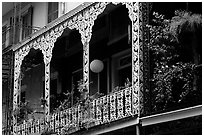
<point>138,14</point>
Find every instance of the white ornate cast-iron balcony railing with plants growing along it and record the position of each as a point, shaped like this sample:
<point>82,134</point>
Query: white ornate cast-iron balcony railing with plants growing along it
<point>106,109</point>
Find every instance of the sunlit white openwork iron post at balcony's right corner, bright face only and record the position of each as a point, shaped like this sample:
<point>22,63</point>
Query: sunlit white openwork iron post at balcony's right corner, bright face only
<point>133,10</point>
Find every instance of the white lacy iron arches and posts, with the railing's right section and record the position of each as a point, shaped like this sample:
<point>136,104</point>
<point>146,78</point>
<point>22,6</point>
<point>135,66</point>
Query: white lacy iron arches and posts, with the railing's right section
<point>83,22</point>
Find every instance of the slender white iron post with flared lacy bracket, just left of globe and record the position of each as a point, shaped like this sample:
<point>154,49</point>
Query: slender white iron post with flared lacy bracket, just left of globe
<point>85,25</point>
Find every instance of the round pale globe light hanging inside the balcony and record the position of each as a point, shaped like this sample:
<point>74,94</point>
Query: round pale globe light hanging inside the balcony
<point>96,66</point>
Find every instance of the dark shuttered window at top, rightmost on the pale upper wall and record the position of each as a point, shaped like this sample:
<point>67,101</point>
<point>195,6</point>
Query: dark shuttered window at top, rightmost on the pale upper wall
<point>52,11</point>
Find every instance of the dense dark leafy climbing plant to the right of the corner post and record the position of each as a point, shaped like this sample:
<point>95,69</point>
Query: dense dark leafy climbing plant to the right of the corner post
<point>171,79</point>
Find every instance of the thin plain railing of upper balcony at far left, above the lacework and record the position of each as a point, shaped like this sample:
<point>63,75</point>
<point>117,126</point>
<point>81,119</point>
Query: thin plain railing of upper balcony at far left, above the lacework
<point>16,33</point>
